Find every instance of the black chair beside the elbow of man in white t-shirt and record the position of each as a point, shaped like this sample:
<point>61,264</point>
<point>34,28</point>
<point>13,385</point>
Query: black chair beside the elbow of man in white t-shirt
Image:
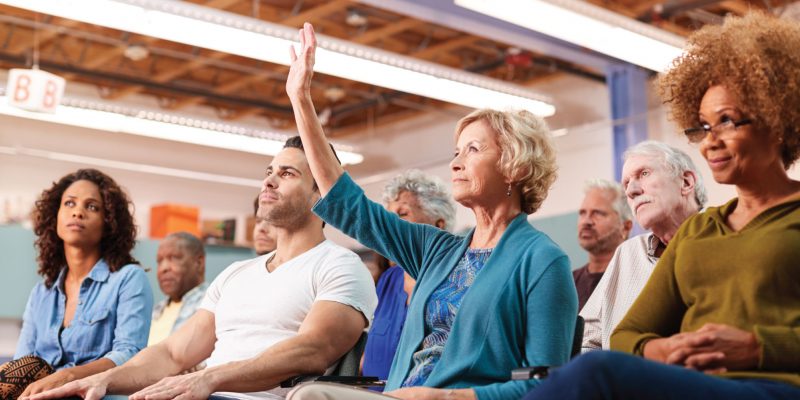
<point>345,370</point>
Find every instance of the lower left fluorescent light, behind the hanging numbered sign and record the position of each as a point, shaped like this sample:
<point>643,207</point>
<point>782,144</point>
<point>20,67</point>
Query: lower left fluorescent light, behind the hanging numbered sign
<point>179,128</point>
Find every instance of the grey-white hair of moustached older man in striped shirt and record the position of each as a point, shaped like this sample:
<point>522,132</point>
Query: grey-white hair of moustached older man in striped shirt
<point>674,160</point>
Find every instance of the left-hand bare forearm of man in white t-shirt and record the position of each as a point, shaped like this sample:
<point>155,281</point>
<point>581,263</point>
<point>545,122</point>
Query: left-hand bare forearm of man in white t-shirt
<point>148,367</point>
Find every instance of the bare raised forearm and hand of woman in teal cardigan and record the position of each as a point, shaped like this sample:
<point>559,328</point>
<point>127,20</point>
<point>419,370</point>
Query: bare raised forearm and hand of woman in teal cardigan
<point>323,163</point>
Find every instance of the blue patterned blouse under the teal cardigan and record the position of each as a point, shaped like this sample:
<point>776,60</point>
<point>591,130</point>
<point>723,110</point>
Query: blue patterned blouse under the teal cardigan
<point>440,312</point>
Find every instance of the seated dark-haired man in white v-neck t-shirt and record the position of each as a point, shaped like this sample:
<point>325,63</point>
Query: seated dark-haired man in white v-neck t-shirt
<point>289,312</point>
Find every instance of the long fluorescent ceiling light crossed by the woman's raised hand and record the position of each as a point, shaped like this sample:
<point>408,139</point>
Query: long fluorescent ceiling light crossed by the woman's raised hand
<point>217,30</point>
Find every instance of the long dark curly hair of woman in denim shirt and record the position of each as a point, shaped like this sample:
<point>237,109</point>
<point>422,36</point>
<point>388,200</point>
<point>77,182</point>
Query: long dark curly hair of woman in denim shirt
<point>119,229</point>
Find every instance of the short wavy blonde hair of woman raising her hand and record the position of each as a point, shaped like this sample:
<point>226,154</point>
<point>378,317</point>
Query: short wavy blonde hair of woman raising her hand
<point>528,155</point>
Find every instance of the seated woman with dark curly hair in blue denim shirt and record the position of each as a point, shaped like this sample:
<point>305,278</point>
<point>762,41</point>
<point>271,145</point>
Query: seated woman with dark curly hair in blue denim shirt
<point>92,310</point>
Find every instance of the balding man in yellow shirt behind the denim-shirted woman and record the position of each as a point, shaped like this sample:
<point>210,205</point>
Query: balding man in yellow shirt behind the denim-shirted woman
<point>181,271</point>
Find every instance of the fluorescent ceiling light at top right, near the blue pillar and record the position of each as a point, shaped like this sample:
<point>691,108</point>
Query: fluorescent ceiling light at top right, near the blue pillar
<point>589,26</point>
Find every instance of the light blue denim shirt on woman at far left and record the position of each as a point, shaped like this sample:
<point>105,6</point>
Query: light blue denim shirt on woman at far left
<point>112,319</point>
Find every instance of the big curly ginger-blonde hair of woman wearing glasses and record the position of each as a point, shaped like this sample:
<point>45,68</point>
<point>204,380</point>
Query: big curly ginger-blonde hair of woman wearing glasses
<point>757,59</point>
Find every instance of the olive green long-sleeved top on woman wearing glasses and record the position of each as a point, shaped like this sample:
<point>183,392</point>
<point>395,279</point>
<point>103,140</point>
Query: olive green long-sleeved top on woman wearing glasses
<point>710,273</point>
